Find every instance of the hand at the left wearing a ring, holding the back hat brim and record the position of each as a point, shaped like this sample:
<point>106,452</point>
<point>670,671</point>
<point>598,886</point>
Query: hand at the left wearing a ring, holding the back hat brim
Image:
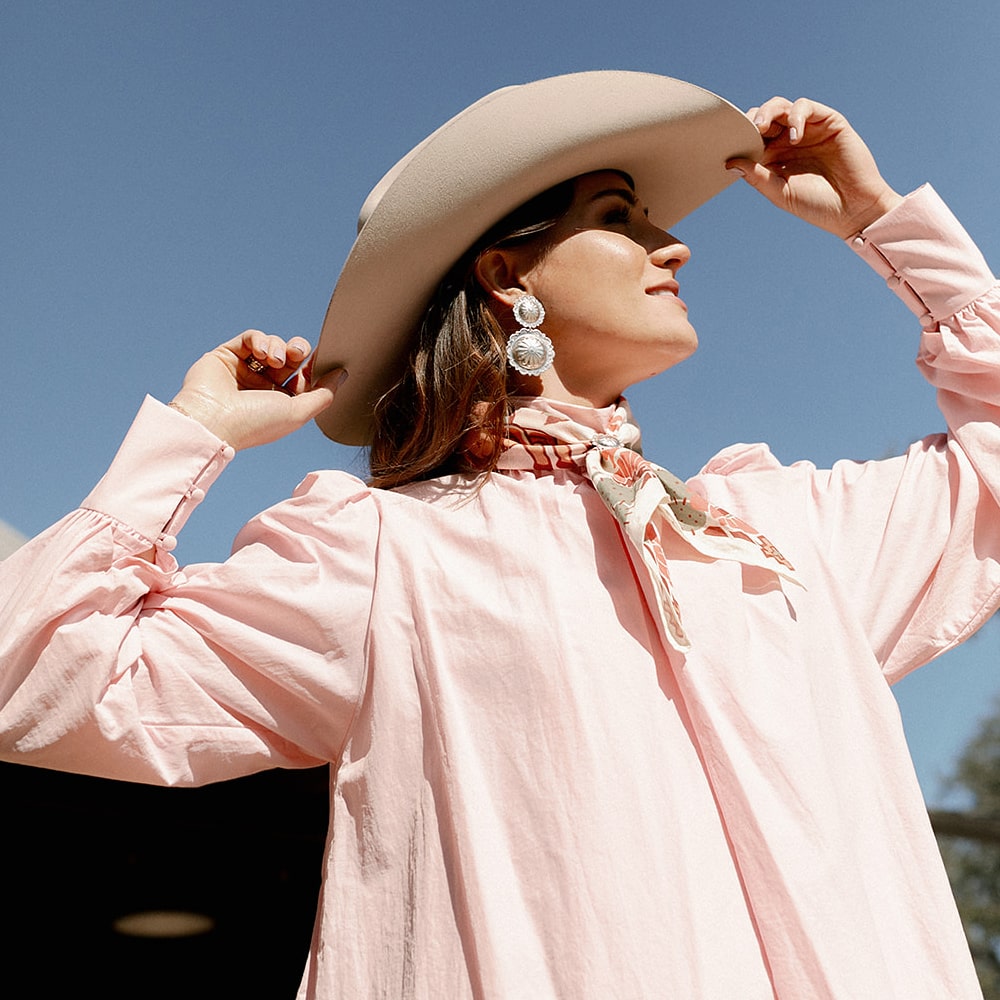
<point>247,408</point>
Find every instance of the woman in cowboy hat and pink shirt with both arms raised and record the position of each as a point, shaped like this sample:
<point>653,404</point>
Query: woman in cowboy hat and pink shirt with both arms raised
<point>596,732</point>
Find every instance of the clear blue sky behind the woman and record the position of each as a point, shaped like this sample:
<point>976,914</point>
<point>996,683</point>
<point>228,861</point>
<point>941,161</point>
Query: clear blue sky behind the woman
<point>172,173</point>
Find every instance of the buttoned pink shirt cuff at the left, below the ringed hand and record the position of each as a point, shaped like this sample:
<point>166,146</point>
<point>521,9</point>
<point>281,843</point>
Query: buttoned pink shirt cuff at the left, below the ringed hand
<point>160,474</point>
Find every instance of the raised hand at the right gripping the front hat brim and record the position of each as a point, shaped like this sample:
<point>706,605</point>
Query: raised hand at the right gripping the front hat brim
<point>816,167</point>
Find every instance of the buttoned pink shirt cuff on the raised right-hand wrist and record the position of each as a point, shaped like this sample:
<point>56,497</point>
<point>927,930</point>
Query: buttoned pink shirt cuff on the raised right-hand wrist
<point>926,257</point>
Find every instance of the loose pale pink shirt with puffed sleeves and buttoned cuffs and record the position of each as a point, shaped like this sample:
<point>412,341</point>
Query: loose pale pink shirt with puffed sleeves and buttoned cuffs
<point>532,797</point>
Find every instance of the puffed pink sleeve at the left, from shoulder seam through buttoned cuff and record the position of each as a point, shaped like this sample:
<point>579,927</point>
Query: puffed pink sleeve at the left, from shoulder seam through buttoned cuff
<point>113,665</point>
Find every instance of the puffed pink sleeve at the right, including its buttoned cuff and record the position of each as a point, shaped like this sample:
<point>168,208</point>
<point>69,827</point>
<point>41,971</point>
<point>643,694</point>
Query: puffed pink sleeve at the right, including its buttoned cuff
<point>915,541</point>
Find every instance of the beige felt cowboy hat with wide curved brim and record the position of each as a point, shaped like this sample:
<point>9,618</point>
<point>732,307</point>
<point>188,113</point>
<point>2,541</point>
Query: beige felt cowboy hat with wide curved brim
<point>671,137</point>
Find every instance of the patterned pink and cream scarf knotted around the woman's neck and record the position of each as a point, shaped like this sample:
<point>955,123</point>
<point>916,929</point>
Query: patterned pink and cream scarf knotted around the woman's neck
<point>647,500</point>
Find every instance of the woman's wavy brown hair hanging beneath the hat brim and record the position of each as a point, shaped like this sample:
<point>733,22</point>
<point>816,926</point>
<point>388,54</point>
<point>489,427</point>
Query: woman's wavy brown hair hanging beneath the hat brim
<point>447,411</point>
